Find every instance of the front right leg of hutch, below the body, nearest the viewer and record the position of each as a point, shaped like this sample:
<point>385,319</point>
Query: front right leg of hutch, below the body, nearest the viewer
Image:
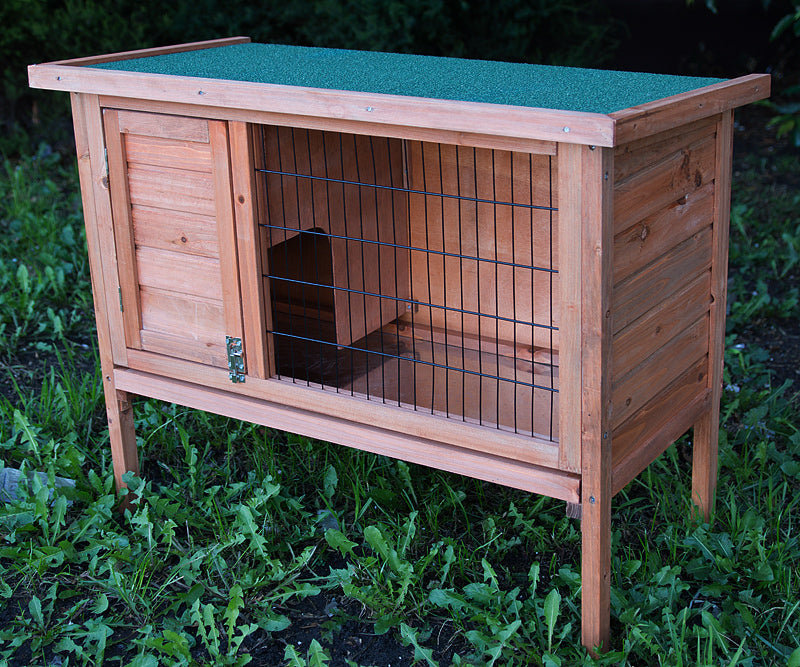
<point>596,572</point>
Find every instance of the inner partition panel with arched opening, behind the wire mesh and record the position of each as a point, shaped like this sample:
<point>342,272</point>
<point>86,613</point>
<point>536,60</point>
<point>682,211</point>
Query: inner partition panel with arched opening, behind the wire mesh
<point>314,188</point>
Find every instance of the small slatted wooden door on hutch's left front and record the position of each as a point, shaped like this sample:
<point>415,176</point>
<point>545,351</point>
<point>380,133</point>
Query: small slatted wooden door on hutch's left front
<point>170,181</point>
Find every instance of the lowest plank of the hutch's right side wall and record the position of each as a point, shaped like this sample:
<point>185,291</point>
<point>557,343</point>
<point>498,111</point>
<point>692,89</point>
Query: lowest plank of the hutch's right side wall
<point>665,417</point>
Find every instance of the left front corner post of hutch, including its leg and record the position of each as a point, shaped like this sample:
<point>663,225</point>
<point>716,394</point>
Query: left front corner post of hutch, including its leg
<point>99,237</point>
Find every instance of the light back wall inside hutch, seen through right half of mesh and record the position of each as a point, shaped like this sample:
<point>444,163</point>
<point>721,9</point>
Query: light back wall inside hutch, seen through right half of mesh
<point>476,256</point>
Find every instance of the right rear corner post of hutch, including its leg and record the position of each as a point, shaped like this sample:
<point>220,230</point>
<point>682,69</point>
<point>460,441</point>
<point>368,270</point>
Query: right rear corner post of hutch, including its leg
<point>706,429</point>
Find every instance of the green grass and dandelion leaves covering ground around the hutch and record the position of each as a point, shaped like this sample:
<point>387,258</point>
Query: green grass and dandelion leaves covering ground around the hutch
<point>251,546</point>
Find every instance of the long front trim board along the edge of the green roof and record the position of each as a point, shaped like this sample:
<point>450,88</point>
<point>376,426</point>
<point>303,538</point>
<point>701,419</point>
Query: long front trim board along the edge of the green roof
<point>474,117</point>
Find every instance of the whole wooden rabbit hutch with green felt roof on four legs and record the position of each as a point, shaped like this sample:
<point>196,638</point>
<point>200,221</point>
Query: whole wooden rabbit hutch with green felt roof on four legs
<point>513,272</point>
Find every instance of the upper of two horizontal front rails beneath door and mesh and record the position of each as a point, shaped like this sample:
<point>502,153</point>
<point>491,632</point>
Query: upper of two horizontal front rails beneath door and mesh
<point>327,402</point>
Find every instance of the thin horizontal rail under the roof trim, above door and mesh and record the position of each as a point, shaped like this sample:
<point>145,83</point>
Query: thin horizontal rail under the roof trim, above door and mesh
<point>262,117</point>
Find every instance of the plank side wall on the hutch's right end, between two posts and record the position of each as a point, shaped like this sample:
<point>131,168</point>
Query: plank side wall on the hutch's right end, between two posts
<point>663,212</point>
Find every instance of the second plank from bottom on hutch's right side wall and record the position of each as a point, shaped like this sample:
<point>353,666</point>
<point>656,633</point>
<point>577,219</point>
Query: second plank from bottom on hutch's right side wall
<point>630,392</point>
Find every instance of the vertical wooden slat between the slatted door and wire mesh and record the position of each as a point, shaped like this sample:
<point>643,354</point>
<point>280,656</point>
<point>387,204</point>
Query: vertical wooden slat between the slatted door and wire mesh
<point>260,362</point>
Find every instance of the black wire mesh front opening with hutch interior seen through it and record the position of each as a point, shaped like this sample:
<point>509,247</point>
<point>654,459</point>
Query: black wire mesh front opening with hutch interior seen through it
<point>394,271</point>
